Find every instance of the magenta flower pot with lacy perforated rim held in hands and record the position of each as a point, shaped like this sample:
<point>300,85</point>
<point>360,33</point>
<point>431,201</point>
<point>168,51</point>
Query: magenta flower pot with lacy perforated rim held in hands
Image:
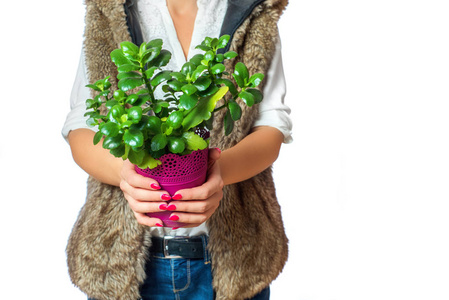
<point>175,173</point>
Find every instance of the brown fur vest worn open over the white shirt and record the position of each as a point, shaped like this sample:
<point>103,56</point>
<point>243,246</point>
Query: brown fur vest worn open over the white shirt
<point>107,248</point>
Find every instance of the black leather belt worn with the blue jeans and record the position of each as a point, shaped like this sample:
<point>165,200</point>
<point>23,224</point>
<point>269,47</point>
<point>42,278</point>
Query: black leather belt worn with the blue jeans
<point>178,247</point>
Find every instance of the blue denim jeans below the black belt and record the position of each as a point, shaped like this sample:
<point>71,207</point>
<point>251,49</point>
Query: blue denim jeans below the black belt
<point>182,279</point>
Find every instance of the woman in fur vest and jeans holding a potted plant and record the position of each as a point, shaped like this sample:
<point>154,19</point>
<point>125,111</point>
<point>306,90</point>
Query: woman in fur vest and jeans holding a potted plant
<point>115,250</point>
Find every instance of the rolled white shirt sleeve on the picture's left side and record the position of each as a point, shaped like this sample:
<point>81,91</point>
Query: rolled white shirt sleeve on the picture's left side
<point>75,118</point>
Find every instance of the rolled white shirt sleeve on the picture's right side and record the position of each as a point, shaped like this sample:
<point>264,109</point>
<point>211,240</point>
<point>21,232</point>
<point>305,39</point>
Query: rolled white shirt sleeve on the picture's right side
<point>272,110</point>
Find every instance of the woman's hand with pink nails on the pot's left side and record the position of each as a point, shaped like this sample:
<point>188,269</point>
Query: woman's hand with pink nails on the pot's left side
<point>144,195</point>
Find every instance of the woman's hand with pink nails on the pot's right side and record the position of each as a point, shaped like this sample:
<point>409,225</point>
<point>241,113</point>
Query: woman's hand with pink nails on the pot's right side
<point>196,205</point>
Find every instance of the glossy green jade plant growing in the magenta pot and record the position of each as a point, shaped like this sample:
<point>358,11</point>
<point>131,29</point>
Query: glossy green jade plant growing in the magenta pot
<point>140,127</point>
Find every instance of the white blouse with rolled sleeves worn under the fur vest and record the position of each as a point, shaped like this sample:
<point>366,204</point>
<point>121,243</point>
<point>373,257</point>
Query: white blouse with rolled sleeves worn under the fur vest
<point>156,22</point>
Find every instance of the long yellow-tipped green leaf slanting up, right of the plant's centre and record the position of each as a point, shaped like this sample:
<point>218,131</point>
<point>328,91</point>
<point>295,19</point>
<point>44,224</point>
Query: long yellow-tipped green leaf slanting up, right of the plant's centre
<point>203,110</point>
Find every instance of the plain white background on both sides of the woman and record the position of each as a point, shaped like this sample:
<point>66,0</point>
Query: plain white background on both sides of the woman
<point>363,188</point>
